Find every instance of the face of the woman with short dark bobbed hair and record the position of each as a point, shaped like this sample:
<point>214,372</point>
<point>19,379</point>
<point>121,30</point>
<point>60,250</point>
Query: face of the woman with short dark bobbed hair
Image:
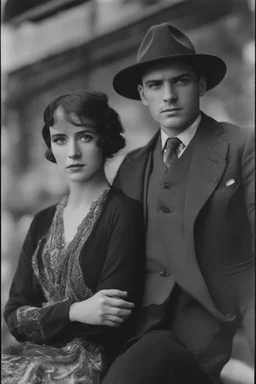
<point>77,155</point>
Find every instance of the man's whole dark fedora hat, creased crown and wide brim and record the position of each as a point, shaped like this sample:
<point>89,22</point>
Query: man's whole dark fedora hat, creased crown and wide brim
<point>163,43</point>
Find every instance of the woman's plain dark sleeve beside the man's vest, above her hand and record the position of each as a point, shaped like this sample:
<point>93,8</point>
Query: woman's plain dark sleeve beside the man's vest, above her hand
<point>124,264</point>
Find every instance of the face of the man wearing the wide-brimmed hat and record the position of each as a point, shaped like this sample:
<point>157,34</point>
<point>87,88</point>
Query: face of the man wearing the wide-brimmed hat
<point>172,91</point>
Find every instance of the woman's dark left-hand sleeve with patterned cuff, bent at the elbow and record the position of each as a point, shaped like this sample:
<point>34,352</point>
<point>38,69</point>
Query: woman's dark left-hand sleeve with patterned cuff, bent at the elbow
<point>26,315</point>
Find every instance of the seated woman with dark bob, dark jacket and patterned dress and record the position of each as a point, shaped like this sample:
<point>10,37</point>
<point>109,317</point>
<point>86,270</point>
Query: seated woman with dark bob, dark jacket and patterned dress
<point>79,273</point>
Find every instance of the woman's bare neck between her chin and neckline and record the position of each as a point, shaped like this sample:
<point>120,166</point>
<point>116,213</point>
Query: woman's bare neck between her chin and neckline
<point>83,194</point>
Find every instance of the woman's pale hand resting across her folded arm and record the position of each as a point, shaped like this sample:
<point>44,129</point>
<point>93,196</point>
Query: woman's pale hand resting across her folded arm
<point>106,307</point>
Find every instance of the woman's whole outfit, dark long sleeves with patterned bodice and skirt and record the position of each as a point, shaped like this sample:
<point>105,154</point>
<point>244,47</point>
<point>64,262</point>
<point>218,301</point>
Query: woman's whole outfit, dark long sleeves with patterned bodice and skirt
<point>106,252</point>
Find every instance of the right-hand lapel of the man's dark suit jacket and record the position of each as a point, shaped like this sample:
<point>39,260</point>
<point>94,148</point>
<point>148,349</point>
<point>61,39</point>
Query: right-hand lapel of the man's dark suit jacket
<point>207,166</point>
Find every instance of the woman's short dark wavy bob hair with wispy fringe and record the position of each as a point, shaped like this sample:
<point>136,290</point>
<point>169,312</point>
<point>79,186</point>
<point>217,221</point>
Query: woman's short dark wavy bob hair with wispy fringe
<point>91,109</point>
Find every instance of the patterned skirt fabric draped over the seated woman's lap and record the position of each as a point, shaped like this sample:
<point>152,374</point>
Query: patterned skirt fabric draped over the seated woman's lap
<point>76,362</point>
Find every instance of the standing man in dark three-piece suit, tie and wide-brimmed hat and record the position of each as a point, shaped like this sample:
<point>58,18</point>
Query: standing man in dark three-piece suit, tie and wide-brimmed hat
<point>195,181</point>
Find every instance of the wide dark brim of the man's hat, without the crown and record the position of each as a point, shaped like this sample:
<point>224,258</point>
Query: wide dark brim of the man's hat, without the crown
<point>126,81</point>
